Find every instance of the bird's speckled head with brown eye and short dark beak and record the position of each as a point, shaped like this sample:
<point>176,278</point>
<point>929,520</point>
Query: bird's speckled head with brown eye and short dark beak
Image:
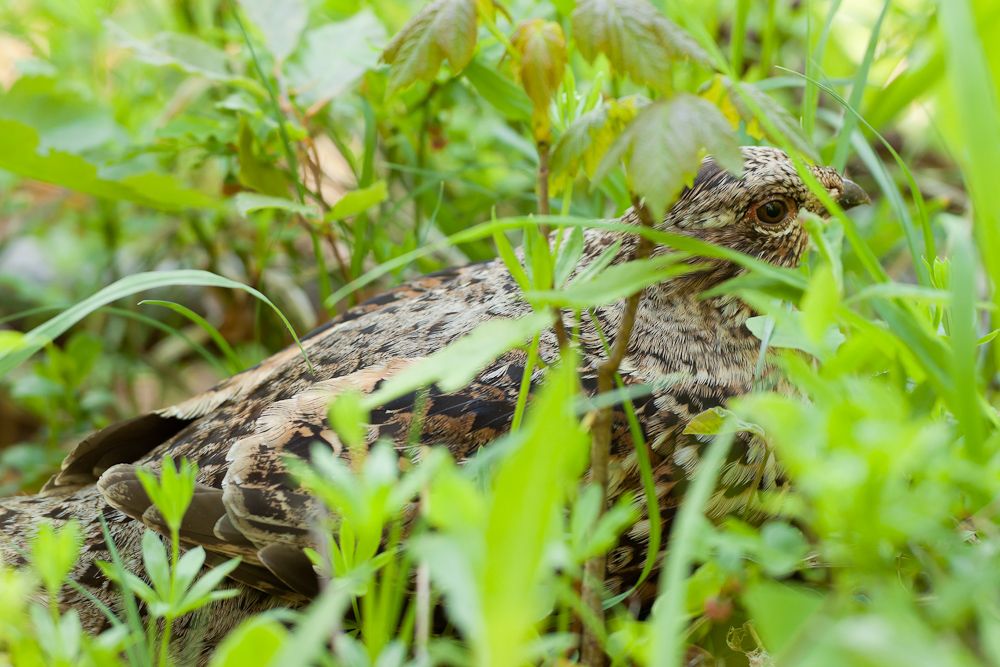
<point>759,213</point>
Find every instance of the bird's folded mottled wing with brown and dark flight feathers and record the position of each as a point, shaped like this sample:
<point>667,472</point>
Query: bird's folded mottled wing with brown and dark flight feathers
<point>242,432</point>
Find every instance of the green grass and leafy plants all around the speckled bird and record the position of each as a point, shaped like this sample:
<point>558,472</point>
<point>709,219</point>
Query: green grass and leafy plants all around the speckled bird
<point>210,176</point>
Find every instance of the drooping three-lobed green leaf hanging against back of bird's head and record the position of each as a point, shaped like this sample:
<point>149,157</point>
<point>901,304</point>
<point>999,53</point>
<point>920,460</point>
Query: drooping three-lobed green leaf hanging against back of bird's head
<point>663,147</point>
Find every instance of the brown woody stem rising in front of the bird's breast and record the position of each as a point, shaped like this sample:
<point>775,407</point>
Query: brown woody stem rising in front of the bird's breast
<point>591,651</point>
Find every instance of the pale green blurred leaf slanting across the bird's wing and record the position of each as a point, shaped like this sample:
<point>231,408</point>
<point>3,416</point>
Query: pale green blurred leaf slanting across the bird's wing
<point>456,365</point>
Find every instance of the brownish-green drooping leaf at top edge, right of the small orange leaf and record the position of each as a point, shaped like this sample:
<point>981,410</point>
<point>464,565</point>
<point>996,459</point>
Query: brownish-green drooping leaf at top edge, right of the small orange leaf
<point>637,39</point>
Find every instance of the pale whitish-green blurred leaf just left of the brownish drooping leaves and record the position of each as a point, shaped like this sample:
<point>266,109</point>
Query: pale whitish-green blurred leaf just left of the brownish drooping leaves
<point>334,56</point>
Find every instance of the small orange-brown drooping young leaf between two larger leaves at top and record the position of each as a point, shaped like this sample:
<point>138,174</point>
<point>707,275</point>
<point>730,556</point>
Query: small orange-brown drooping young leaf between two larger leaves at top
<point>541,46</point>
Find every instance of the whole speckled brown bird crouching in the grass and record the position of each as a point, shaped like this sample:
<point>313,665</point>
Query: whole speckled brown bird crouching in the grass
<point>239,432</point>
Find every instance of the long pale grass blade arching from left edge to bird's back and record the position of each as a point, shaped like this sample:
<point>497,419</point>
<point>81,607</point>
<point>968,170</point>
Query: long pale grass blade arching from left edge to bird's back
<point>44,334</point>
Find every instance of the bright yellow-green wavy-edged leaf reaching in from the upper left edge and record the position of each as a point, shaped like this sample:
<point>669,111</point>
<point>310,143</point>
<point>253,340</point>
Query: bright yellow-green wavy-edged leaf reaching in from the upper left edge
<point>19,145</point>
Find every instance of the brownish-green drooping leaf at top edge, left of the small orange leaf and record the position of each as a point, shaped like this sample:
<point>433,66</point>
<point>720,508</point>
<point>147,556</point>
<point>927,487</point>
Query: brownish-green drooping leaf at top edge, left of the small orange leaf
<point>442,29</point>
